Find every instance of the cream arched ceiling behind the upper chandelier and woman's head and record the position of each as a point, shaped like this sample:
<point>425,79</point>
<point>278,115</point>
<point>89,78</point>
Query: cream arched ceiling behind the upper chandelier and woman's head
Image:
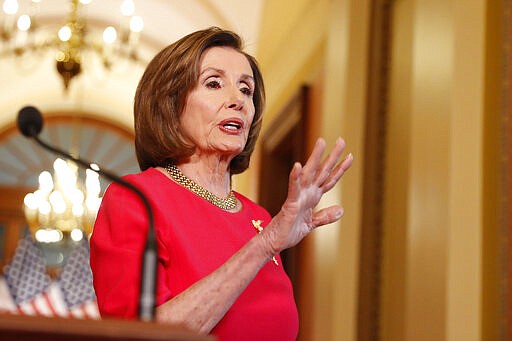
<point>34,80</point>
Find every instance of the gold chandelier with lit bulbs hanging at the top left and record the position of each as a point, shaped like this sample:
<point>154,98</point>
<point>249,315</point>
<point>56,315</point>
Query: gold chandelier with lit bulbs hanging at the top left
<point>21,32</point>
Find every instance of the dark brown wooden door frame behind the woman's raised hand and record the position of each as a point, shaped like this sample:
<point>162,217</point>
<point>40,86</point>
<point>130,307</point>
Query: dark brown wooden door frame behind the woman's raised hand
<point>284,143</point>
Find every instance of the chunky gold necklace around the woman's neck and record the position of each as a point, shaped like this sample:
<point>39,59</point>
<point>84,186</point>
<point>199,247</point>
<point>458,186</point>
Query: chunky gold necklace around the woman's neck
<point>226,204</point>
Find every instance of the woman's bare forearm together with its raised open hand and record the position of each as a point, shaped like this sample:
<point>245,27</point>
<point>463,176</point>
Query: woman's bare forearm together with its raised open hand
<point>203,305</point>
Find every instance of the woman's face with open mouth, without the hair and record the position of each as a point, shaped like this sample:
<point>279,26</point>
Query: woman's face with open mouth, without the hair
<point>219,110</point>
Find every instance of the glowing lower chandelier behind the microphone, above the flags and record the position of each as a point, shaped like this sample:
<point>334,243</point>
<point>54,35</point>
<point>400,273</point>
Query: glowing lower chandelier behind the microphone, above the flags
<point>63,207</point>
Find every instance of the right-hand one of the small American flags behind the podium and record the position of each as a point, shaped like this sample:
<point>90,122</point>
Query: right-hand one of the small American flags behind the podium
<point>75,282</point>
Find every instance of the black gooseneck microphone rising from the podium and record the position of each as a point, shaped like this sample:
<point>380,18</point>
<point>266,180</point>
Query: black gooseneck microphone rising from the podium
<point>30,124</point>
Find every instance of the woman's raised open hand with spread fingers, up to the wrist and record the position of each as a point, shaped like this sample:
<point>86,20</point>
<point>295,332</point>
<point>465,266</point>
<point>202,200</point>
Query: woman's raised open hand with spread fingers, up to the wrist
<point>307,185</point>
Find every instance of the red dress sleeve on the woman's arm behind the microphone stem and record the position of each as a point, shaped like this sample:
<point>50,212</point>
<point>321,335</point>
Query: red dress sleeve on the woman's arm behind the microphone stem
<point>117,245</point>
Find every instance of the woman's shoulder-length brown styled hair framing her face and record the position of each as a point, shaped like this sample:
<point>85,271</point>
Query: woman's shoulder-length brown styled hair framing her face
<point>161,98</point>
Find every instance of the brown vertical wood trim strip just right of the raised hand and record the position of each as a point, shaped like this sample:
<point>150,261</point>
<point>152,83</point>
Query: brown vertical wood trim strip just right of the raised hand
<point>375,142</point>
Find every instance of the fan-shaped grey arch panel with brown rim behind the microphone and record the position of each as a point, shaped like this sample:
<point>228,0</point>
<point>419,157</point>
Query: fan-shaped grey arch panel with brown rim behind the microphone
<point>22,160</point>
